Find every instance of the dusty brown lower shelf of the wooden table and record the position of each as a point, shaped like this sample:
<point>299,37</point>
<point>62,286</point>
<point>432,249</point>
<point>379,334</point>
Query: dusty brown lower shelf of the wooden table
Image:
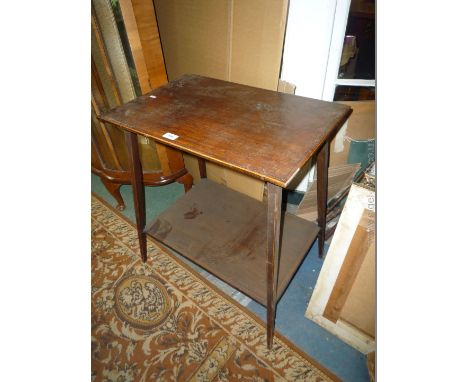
<point>224,232</point>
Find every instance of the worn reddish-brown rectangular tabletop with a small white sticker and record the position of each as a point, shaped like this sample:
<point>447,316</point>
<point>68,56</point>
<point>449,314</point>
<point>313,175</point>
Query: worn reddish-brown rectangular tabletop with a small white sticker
<point>262,133</point>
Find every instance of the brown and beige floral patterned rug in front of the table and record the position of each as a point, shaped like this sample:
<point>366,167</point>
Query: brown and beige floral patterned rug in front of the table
<point>161,321</point>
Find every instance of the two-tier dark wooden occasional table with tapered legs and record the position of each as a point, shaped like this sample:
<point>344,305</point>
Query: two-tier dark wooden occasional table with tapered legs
<point>261,133</point>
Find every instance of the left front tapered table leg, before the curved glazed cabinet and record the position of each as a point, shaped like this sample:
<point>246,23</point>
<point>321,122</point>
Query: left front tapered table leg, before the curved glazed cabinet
<point>136,174</point>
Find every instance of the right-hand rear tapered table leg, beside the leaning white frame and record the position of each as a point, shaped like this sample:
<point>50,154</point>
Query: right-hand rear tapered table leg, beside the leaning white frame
<point>322,194</point>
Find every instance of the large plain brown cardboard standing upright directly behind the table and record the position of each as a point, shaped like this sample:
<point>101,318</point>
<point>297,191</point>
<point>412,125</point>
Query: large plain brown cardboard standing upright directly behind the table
<point>239,41</point>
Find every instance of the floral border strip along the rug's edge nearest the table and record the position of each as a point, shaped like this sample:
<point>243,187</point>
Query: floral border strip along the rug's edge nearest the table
<point>288,361</point>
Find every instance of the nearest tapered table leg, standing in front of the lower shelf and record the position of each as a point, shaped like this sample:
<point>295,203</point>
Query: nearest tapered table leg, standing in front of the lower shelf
<point>274,194</point>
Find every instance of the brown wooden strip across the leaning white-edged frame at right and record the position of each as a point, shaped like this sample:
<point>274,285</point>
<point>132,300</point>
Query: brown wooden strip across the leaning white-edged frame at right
<point>349,270</point>
